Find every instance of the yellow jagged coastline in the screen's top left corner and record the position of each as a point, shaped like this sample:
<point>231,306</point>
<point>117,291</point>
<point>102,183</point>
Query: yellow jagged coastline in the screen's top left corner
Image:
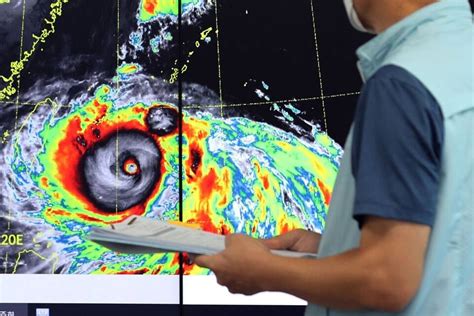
<point>16,67</point>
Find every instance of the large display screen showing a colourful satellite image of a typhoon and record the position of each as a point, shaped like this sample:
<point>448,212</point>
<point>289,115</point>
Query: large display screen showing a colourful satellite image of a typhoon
<point>226,115</point>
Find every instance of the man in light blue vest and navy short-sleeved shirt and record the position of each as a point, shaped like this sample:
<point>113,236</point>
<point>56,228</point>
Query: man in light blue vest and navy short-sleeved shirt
<point>399,236</point>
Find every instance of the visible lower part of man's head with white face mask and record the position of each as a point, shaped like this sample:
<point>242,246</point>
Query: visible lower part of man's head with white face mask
<point>377,15</point>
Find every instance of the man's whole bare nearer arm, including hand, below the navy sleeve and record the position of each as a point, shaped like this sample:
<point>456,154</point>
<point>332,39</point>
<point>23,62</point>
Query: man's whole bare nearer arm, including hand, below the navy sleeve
<point>384,273</point>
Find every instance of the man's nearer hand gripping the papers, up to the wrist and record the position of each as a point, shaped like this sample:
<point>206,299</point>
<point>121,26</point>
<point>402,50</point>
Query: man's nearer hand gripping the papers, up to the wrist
<point>240,266</point>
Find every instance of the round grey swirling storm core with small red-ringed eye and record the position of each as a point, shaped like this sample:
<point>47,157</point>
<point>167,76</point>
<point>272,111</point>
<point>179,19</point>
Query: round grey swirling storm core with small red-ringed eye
<point>121,171</point>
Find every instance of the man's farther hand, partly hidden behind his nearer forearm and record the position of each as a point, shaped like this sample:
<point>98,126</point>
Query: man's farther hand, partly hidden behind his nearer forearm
<point>296,240</point>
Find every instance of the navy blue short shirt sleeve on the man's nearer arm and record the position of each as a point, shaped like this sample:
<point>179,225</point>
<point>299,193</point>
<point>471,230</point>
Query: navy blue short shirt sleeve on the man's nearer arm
<point>396,151</point>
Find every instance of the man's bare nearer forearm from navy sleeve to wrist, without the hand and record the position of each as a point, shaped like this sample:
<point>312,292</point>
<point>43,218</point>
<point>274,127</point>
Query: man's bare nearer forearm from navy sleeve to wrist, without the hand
<point>384,273</point>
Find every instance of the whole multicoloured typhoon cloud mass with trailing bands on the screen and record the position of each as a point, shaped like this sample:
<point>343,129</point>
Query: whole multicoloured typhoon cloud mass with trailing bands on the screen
<point>112,151</point>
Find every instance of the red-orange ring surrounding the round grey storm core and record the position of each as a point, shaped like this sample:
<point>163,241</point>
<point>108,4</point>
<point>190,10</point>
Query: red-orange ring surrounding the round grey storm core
<point>75,144</point>
